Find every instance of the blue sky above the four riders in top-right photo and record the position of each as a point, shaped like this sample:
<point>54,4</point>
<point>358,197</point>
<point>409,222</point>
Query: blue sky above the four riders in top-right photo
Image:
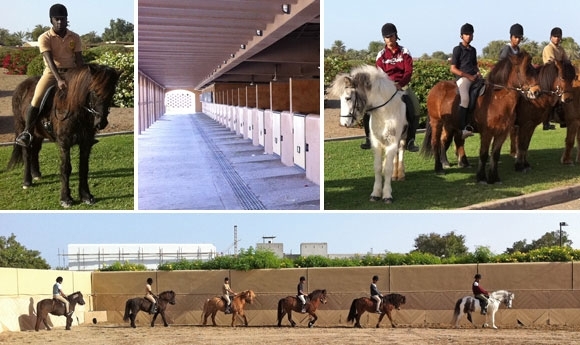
<point>427,26</point>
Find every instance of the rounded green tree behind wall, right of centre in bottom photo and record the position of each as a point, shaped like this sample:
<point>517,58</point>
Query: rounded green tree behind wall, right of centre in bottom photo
<point>448,245</point>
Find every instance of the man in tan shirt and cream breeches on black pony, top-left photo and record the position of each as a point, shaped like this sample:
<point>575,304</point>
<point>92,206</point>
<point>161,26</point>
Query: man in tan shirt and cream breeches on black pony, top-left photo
<point>61,50</point>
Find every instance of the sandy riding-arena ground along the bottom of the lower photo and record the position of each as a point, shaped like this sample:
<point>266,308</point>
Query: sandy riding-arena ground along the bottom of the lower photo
<point>176,334</point>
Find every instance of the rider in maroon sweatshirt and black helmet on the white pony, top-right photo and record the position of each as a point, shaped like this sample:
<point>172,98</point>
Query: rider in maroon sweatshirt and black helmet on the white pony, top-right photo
<point>396,61</point>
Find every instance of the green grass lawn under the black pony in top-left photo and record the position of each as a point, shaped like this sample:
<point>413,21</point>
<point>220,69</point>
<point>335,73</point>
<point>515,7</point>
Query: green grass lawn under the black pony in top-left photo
<point>110,178</point>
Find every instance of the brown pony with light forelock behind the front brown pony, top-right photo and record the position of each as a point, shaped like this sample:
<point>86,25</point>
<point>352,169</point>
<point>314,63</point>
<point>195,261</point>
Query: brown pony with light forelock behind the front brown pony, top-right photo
<point>555,80</point>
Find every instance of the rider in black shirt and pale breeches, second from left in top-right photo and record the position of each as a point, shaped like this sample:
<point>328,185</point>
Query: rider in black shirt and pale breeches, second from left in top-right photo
<point>464,66</point>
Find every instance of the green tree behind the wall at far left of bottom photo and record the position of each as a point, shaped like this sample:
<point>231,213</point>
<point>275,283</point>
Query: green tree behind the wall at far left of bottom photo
<point>15,255</point>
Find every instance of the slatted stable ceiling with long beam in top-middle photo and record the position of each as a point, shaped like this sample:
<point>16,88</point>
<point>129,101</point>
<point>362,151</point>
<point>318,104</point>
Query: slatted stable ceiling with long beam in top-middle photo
<point>185,44</point>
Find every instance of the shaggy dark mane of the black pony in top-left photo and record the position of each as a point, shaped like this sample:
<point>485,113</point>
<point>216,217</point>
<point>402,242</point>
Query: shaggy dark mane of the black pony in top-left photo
<point>99,79</point>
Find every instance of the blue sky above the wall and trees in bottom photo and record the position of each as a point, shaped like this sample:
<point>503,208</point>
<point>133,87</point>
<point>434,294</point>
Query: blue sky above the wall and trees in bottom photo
<point>345,233</point>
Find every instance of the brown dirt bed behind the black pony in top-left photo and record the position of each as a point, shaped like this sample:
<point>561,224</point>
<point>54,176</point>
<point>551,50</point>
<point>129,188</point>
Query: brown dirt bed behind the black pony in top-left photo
<point>120,119</point>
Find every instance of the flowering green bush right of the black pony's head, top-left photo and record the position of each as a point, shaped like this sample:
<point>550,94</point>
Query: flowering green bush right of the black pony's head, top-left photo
<point>125,89</point>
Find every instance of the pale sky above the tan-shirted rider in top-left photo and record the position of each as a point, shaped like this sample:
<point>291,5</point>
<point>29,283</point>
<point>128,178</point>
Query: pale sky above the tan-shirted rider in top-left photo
<point>84,15</point>
